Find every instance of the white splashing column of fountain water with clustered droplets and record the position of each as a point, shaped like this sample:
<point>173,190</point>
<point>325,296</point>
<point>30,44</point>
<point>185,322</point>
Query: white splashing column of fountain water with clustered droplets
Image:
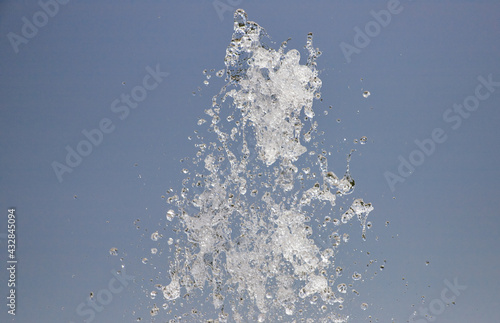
<point>251,250</point>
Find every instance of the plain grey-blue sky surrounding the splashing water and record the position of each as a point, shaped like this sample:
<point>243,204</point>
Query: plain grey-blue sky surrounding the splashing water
<point>64,79</point>
